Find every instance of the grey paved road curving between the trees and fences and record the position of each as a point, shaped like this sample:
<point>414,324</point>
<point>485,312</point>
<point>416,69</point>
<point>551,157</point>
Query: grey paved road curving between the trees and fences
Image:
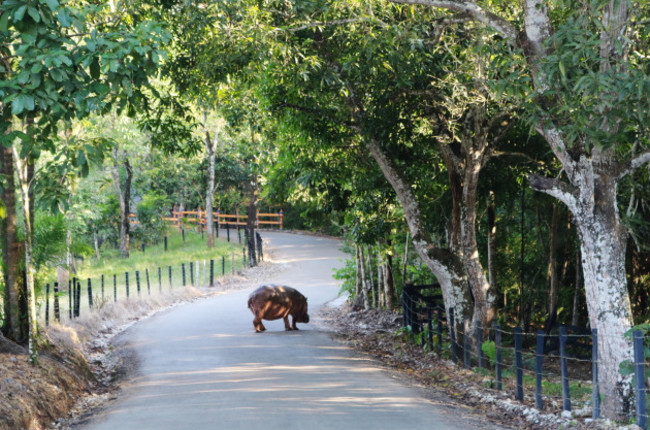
<point>201,366</point>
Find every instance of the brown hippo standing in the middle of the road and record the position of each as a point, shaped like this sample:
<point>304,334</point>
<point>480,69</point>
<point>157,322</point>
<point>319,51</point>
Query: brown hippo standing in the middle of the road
<point>272,302</point>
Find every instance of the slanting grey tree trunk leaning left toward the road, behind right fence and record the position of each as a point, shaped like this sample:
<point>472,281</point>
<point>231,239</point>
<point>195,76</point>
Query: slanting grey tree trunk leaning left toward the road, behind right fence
<point>445,265</point>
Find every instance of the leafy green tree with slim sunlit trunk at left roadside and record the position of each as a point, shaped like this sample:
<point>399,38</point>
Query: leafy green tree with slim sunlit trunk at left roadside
<point>59,63</point>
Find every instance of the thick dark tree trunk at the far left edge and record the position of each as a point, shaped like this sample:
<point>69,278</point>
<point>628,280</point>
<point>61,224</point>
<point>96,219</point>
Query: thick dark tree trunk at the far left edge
<point>15,324</point>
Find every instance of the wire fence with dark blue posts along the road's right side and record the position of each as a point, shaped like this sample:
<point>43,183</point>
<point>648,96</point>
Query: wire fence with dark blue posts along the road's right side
<point>557,366</point>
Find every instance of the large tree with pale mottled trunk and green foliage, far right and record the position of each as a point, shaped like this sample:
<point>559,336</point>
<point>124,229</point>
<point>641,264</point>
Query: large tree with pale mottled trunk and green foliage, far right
<point>589,102</point>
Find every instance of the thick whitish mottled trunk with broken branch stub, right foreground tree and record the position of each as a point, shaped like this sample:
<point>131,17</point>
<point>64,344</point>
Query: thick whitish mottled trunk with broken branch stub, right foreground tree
<point>602,245</point>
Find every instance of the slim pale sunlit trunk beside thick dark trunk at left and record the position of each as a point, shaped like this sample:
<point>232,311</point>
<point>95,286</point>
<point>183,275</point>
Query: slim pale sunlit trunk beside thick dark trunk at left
<point>23,170</point>
